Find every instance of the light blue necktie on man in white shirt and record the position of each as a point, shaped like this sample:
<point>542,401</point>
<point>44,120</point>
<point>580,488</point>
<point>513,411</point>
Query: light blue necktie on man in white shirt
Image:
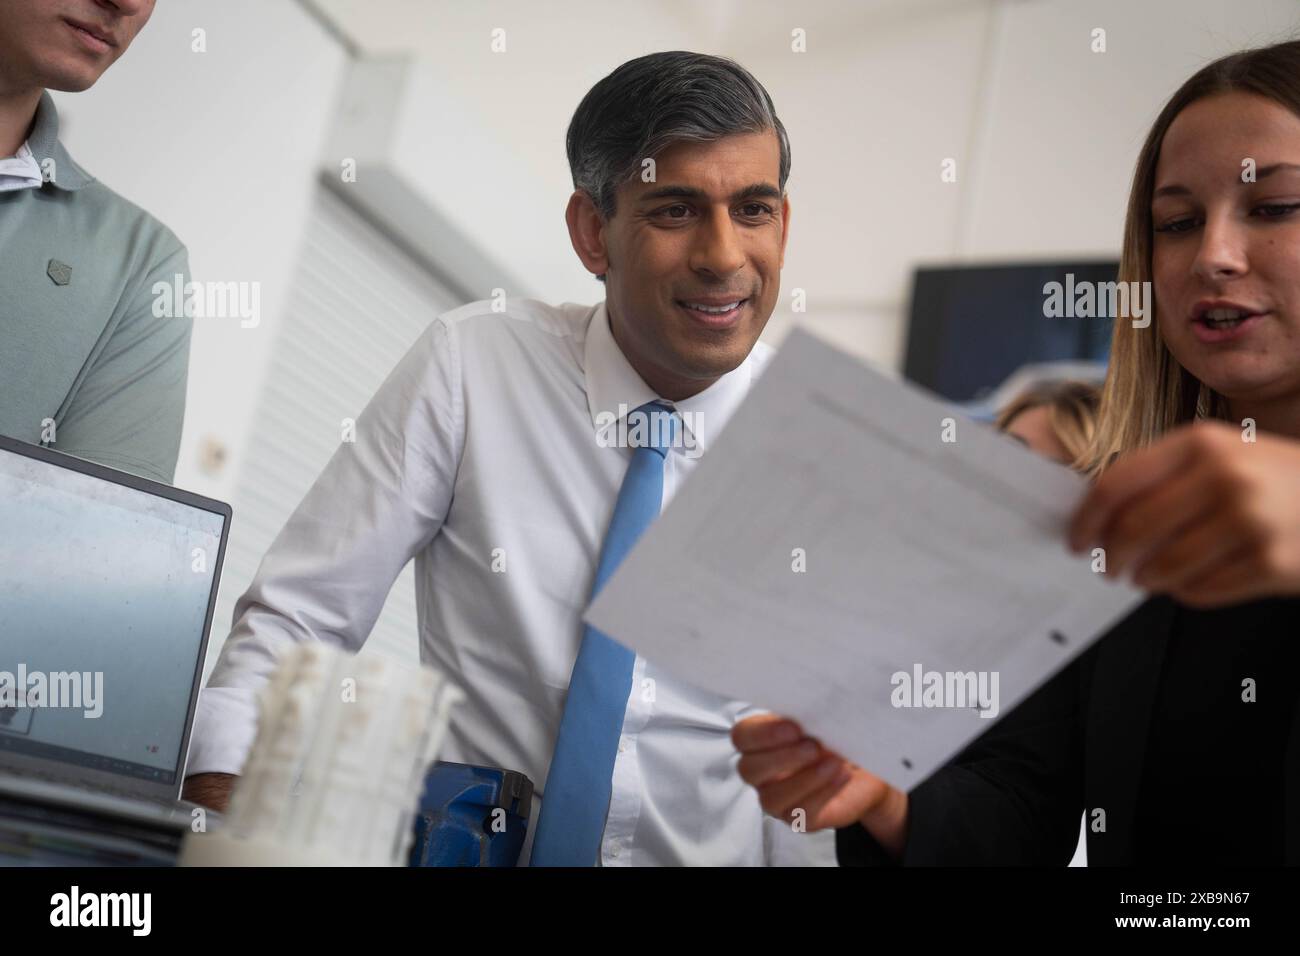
<point>579,782</point>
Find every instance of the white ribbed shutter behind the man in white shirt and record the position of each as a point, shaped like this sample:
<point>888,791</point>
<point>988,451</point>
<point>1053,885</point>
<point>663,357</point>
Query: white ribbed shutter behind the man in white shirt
<point>358,302</point>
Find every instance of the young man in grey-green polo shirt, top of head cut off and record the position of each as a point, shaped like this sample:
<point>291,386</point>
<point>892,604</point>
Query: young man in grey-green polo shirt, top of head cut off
<point>85,365</point>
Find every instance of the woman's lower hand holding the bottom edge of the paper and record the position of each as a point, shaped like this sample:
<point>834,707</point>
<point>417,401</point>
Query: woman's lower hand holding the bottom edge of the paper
<point>794,773</point>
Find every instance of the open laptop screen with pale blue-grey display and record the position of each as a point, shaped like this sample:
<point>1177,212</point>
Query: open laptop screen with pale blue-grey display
<point>109,585</point>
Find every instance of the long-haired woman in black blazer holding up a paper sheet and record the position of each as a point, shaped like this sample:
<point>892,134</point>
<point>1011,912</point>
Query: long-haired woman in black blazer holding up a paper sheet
<point>1181,726</point>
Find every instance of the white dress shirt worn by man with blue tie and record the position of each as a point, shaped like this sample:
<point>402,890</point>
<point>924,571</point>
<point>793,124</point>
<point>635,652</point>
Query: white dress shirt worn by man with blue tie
<point>483,457</point>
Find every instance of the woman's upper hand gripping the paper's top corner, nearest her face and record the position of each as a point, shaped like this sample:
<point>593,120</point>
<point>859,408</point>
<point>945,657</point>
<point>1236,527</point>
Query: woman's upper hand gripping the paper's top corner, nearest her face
<point>1201,516</point>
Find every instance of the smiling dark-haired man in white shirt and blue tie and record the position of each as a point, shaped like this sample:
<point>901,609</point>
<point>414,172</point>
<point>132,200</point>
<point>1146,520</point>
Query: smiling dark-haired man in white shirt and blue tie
<point>495,457</point>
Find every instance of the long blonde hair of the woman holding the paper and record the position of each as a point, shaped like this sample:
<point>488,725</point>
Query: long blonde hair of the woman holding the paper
<point>1147,392</point>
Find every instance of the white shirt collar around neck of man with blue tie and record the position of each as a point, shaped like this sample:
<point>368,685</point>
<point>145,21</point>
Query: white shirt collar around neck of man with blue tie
<point>614,388</point>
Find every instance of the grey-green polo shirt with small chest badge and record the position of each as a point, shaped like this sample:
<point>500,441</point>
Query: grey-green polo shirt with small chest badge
<point>80,344</point>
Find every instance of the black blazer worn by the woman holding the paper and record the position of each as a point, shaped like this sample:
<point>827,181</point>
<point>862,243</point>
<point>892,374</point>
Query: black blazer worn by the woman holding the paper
<point>1015,797</point>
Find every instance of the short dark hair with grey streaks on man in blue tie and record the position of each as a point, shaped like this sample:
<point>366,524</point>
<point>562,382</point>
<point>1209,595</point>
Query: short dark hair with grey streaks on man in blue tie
<point>656,101</point>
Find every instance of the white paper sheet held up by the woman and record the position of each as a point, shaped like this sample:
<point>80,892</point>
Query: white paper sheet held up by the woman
<point>921,556</point>
